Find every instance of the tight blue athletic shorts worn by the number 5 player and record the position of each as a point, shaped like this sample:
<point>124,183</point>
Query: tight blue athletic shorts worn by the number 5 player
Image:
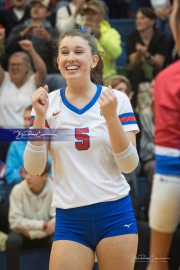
<point>88,225</point>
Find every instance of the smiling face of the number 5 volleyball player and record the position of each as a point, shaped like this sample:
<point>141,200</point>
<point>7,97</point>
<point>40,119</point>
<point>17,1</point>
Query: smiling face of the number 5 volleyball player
<point>75,58</point>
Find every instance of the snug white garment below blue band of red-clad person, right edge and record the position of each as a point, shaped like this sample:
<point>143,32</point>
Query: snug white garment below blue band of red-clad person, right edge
<point>164,211</point>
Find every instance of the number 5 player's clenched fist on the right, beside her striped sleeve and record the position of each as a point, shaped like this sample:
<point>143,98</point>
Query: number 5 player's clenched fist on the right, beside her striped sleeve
<point>108,103</point>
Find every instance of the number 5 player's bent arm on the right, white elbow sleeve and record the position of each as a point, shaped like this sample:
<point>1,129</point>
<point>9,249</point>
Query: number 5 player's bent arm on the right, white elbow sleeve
<point>123,143</point>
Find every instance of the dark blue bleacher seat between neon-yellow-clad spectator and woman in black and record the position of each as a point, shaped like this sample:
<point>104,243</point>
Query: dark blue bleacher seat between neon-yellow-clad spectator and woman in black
<point>123,26</point>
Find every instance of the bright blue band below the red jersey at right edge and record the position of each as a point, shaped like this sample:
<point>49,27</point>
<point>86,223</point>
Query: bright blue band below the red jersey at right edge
<point>167,165</point>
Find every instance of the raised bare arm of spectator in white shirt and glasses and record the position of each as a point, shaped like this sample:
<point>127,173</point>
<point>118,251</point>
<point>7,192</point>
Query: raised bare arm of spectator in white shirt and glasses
<point>39,65</point>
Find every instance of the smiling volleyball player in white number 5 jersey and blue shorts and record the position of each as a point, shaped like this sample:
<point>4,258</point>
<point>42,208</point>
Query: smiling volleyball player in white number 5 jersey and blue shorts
<point>96,142</point>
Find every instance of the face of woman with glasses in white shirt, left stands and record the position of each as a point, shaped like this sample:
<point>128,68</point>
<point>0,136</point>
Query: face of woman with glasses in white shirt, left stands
<point>17,69</point>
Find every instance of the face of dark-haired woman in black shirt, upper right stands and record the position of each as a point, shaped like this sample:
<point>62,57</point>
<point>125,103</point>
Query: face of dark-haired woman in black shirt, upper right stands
<point>143,23</point>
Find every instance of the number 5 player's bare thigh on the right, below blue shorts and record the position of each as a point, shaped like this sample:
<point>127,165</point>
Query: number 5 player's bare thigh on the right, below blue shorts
<point>117,253</point>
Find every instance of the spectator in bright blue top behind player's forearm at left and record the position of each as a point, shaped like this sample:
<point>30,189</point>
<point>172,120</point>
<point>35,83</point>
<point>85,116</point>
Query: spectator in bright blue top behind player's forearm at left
<point>14,169</point>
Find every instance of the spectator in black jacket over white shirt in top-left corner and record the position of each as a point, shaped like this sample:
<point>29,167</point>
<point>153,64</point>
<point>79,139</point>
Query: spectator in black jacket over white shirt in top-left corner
<point>15,15</point>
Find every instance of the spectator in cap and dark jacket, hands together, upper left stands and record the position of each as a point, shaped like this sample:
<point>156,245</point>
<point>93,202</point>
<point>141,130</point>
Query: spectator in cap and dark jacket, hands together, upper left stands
<point>41,33</point>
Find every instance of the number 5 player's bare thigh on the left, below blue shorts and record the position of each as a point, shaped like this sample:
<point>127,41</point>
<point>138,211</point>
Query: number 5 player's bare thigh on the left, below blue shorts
<point>70,255</point>
